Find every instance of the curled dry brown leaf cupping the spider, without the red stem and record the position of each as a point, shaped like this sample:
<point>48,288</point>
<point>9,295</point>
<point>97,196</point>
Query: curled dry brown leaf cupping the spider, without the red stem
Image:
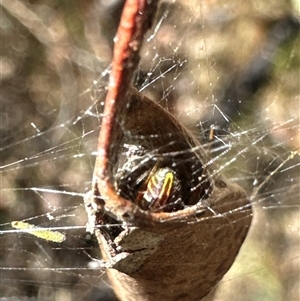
<point>177,255</point>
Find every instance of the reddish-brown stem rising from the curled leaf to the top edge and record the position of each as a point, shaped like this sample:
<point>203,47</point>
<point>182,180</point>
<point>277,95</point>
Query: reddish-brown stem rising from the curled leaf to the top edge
<point>135,21</point>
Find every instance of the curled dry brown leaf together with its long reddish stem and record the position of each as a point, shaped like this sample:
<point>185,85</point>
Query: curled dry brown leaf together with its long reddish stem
<point>182,249</point>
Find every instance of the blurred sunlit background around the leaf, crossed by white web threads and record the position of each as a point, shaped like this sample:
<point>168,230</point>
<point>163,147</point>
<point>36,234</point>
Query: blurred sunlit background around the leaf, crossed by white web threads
<point>226,69</point>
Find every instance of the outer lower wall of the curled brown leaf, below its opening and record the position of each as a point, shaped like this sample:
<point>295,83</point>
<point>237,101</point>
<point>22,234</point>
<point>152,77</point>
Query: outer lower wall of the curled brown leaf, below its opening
<point>182,261</point>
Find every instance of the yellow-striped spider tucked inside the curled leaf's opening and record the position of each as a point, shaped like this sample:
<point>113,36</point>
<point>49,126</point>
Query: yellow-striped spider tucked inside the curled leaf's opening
<point>162,189</point>
